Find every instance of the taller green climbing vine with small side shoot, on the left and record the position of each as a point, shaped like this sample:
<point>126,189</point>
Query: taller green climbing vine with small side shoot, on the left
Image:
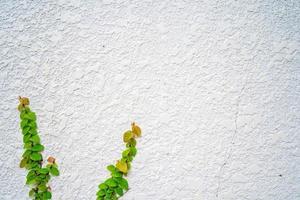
<point>32,159</point>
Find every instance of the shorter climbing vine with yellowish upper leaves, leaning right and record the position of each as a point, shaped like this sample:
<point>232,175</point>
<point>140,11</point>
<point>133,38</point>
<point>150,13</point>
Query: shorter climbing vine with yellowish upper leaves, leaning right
<point>115,186</point>
